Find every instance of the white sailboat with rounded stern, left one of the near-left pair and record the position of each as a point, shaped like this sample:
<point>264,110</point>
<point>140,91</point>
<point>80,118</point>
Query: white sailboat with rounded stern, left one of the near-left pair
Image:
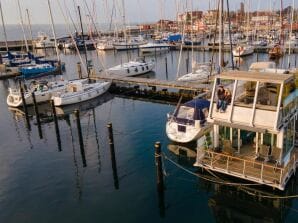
<point>43,92</point>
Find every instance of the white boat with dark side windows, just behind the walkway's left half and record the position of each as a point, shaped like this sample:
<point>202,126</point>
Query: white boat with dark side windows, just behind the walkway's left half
<point>133,68</point>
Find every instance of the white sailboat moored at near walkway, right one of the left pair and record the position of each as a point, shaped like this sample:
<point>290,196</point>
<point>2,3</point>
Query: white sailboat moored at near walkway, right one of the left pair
<point>80,90</point>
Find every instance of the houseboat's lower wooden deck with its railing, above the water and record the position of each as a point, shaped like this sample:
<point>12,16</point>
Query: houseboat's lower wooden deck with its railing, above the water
<point>245,165</point>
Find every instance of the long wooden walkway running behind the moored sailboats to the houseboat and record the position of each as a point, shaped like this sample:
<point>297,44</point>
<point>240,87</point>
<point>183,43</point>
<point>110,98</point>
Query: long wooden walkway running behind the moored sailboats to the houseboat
<point>193,86</point>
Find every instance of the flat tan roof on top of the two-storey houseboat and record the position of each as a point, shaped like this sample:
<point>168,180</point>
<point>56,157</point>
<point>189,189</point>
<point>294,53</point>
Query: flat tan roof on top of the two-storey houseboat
<point>257,76</point>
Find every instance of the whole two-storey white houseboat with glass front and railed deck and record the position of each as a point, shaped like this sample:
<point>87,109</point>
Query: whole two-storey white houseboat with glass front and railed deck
<point>253,137</point>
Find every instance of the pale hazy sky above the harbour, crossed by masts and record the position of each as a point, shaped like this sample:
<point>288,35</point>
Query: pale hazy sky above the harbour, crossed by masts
<point>136,11</point>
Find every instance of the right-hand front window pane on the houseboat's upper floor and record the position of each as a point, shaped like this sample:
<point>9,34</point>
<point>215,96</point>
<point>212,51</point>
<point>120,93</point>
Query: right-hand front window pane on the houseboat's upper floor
<point>267,95</point>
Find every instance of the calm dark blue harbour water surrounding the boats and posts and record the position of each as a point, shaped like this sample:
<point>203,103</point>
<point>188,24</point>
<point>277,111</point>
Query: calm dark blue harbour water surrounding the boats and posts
<point>39,183</point>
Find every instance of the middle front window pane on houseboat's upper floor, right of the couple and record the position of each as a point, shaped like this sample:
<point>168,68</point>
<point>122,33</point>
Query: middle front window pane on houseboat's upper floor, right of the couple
<point>245,93</point>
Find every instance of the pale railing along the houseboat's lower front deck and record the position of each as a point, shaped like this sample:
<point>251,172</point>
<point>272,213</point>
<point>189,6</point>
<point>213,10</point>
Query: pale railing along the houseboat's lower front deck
<point>258,170</point>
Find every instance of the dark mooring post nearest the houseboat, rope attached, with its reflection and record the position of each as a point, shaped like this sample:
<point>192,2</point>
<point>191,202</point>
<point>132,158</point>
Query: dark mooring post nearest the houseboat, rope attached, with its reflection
<point>159,177</point>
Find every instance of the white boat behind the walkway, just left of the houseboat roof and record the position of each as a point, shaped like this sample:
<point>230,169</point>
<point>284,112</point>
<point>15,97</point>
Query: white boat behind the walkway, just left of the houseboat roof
<point>201,73</point>
